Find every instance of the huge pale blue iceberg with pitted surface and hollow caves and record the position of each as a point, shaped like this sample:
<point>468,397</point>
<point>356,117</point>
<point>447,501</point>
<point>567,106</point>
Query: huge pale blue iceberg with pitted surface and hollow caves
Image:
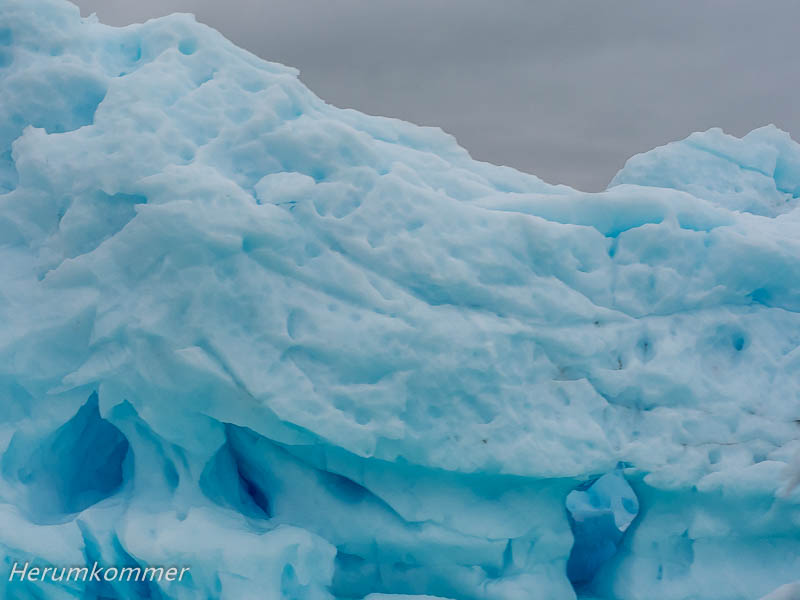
<point>313,354</point>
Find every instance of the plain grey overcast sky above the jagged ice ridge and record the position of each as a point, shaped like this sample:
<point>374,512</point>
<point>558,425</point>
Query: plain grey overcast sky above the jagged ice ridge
<point>565,90</point>
